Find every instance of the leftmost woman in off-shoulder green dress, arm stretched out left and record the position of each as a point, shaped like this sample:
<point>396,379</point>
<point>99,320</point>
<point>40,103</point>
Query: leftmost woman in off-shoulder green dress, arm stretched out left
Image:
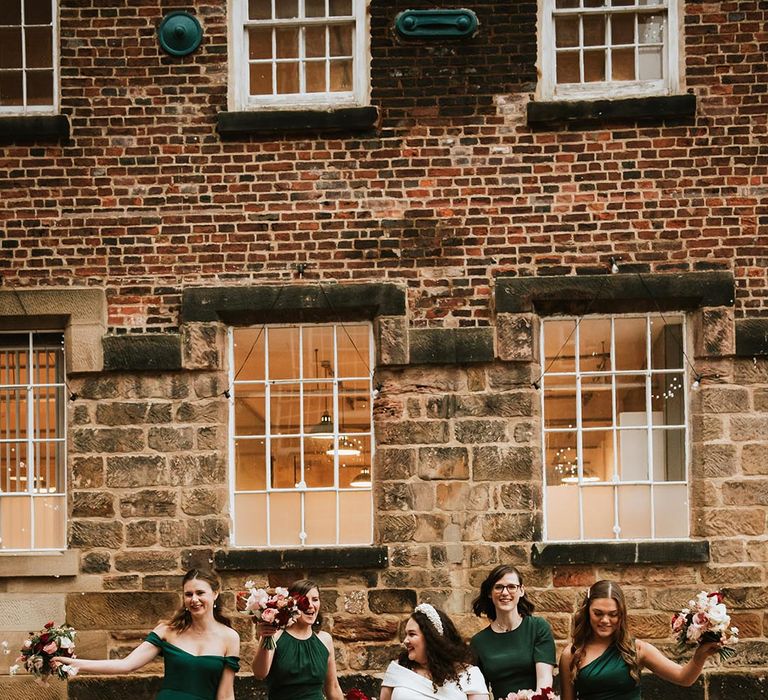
<point>200,649</point>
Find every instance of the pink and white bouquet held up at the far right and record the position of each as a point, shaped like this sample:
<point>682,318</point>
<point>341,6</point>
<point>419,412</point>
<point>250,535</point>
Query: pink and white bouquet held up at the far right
<point>705,620</point>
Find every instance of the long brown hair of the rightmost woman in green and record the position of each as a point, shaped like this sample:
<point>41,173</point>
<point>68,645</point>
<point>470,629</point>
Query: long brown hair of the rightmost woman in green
<point>582,629</point>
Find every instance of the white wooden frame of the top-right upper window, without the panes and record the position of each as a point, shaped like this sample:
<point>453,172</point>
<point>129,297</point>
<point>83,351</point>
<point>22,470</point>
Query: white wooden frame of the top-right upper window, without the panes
<point>548,89</point>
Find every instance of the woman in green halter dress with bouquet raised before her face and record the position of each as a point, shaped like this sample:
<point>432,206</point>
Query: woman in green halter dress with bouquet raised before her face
<point>303,664</point>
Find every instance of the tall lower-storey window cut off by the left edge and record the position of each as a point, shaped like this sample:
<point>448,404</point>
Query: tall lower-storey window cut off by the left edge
<point>32,442</point>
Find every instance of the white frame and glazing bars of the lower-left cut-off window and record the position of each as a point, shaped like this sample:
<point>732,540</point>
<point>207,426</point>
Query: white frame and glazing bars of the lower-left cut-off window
<point>31,442</point>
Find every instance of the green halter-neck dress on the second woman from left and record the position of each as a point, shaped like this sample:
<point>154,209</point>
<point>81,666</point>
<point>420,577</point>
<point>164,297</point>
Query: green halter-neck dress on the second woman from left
<point>298,669</point>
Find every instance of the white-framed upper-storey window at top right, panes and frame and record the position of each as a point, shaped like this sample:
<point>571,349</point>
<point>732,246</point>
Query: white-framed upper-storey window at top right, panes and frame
<point>609,47</point>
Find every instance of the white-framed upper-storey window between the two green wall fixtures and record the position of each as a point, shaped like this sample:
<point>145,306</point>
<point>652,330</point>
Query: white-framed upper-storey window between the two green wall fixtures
<point>307,52</point>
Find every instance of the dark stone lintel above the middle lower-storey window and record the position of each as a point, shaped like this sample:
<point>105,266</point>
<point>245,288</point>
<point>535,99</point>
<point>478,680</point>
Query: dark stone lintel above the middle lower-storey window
<point>294,302</point>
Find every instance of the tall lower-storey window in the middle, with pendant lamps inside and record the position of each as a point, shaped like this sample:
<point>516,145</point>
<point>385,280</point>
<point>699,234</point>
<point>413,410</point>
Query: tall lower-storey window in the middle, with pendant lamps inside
<point>301,438</point>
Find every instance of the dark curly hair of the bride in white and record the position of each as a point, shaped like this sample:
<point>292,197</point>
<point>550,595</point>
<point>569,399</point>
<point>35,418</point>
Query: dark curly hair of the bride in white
<point>448,655</point>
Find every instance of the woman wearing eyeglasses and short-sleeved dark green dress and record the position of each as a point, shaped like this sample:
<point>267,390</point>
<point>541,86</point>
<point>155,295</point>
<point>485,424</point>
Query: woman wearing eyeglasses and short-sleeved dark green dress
<point>517,650</point>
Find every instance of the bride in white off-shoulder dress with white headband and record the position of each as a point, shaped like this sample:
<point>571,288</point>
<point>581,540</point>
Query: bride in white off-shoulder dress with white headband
<point>435,663</point>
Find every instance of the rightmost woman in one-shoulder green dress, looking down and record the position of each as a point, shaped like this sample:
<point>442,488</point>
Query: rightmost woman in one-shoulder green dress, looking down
<point>604,660</point>
